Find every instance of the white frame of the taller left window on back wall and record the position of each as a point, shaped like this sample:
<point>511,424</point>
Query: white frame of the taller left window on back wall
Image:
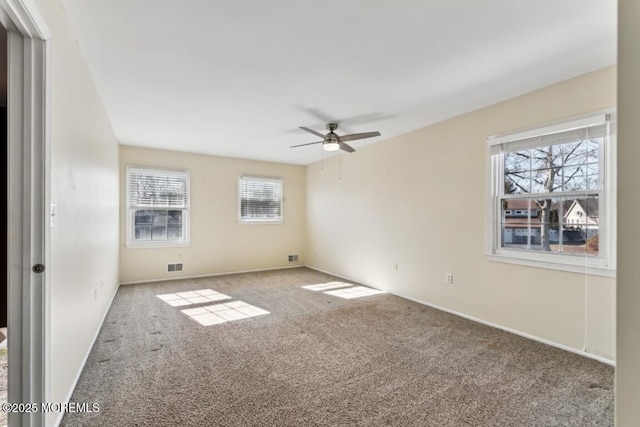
<point>130,211</point>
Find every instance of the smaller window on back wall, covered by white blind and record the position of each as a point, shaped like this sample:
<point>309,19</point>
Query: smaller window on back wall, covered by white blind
<point>259,200</point>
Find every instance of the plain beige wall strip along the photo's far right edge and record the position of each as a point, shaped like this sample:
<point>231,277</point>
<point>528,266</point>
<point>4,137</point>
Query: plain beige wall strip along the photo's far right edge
<point>628,362</point>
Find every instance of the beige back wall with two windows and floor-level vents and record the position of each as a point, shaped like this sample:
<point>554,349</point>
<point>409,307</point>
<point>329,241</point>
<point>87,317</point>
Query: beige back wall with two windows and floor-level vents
<point>219,244</point>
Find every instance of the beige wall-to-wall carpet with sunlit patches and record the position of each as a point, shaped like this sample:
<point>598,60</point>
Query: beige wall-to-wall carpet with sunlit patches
<point>320,359</point>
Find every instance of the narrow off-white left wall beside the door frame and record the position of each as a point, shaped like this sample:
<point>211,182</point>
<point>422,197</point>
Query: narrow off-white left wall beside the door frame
<point>82,272</point>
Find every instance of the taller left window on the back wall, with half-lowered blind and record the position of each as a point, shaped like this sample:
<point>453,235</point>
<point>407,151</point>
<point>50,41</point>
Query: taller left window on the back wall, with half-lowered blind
<point>158,207</point>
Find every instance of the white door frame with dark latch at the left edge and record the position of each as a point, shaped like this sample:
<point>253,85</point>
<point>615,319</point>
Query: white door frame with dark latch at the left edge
<point>28,198</point>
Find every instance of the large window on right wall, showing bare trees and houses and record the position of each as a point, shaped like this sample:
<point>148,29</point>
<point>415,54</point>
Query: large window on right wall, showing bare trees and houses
<point>553,196</point>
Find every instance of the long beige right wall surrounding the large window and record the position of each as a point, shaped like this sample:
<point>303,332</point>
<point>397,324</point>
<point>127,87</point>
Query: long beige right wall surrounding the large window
<point>419,200</point>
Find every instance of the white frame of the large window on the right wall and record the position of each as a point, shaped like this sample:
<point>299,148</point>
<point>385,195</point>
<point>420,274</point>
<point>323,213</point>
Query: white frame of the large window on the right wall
<point>602,265</point>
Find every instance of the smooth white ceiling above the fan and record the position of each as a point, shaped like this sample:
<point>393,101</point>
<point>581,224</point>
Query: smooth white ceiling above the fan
<point>237,78</point>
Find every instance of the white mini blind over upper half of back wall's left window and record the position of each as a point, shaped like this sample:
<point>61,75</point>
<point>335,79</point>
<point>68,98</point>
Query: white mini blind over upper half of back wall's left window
<point>158,189</point>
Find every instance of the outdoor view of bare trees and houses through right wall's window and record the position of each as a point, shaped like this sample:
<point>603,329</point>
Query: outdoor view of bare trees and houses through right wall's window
<point>545,181</point>
